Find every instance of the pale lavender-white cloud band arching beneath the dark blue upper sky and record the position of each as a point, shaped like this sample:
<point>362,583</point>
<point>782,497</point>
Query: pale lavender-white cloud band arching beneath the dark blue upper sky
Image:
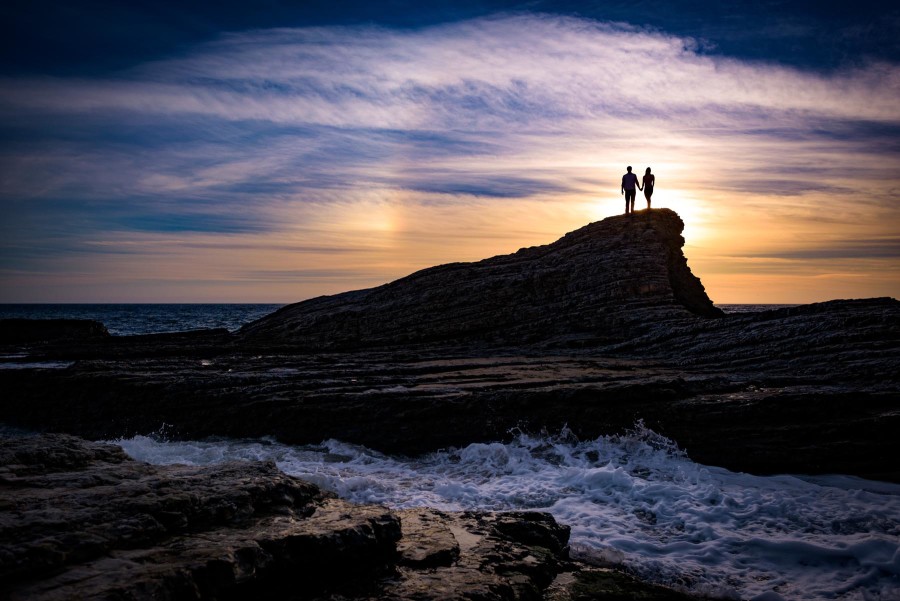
<point>488,71</point>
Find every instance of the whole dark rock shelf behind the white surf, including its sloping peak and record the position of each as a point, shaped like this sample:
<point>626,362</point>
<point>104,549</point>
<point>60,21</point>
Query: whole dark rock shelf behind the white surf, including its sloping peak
<point>598,331</point>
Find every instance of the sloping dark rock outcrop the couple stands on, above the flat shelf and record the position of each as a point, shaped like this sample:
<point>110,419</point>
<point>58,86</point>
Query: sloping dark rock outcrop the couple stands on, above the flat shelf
<point>603,281</point>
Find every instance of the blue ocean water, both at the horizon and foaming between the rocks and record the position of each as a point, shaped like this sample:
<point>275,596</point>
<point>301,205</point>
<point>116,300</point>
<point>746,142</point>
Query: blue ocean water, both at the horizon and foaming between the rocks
<point>635,500</point>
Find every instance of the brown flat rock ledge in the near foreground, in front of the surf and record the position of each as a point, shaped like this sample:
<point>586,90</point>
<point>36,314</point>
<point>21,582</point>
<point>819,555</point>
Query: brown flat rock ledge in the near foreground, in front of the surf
<point>81,520</point>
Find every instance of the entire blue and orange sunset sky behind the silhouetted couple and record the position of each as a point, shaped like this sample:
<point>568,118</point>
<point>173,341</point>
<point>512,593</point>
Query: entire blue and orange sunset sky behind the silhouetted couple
<point>276,151</point>
